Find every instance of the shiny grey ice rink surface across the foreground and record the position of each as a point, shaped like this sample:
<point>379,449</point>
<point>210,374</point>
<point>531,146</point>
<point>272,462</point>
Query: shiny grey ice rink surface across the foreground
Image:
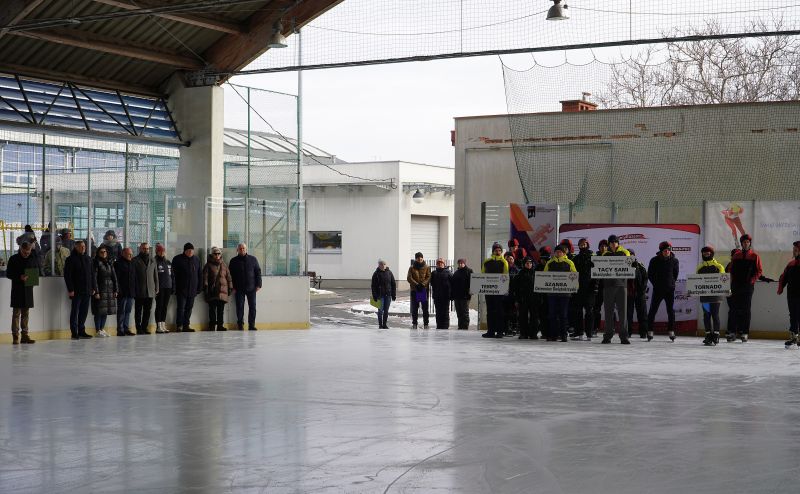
<point>354,409</point>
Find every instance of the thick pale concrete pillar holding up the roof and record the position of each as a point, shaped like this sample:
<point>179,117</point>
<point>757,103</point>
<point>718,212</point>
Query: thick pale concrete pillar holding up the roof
<point>199,114</point>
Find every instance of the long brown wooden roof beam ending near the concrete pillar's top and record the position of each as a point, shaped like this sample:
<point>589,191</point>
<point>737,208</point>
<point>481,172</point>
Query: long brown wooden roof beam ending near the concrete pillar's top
<point>105,44</point>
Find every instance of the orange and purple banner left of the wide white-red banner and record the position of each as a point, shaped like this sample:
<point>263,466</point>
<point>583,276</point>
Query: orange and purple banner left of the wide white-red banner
<point>534,225</point>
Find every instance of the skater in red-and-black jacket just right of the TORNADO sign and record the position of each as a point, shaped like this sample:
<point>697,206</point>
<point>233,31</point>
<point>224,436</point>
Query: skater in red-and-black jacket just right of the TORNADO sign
<point>745,269</point>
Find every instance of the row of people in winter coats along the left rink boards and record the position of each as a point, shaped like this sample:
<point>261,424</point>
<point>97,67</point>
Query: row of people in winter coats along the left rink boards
<point>115,283</point>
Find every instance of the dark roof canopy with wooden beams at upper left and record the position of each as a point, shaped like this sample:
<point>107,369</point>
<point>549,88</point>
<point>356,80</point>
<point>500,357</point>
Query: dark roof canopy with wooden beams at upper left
<point>135,46</point>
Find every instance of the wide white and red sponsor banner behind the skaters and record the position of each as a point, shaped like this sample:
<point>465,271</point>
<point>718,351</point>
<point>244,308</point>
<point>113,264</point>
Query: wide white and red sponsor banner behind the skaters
<point>644,240</point>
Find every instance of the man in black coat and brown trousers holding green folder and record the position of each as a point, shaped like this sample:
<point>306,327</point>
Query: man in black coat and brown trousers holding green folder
<point>21,295</point>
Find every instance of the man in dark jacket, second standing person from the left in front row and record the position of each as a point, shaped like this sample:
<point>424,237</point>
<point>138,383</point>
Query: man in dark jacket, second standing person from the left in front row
<point>78,278</point>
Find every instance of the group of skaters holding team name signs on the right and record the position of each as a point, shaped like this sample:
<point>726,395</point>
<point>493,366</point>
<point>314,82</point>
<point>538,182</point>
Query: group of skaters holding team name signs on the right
<point>559,316</point>
